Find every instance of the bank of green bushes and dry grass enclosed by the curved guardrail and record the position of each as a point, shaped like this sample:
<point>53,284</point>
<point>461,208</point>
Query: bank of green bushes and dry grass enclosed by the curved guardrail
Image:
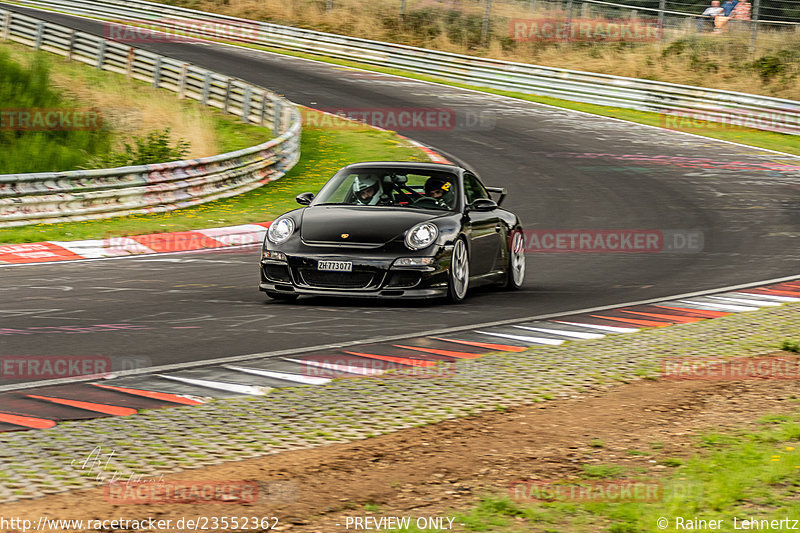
<point>128,109</point>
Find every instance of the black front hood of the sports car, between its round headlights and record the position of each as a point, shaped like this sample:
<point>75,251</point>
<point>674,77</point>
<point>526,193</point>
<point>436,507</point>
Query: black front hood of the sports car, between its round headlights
<point>363,225</point>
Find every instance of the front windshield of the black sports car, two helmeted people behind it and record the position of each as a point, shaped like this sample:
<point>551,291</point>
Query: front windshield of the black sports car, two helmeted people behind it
<point>411,188</point>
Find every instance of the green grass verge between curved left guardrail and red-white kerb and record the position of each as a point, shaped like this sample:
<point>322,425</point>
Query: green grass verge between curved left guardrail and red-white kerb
<point>324,152</point>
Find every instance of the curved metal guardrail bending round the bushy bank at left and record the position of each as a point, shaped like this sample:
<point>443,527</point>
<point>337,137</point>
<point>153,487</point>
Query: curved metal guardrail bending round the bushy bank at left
<point>90,194</point>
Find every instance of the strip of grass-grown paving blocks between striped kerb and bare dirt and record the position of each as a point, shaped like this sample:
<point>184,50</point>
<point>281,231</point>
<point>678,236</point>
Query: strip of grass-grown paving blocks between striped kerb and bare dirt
<point>34,464</point>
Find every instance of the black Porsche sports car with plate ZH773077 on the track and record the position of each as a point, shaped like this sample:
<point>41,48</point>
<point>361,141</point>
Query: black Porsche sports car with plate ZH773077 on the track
<point>394,229</point>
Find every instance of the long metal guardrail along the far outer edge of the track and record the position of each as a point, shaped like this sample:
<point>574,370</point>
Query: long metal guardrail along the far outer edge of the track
<point>681,101</point>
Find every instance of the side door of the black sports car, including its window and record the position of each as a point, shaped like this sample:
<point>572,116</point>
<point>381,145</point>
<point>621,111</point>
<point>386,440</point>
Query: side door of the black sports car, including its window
<point>485,230</point>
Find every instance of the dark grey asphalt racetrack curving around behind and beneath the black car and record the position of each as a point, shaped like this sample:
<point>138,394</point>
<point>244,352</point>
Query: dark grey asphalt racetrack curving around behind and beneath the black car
<point>563,170</point>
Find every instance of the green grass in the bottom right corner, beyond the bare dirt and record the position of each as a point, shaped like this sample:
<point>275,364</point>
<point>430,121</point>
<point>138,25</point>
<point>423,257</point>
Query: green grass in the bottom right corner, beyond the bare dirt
<point>742,473</point>
